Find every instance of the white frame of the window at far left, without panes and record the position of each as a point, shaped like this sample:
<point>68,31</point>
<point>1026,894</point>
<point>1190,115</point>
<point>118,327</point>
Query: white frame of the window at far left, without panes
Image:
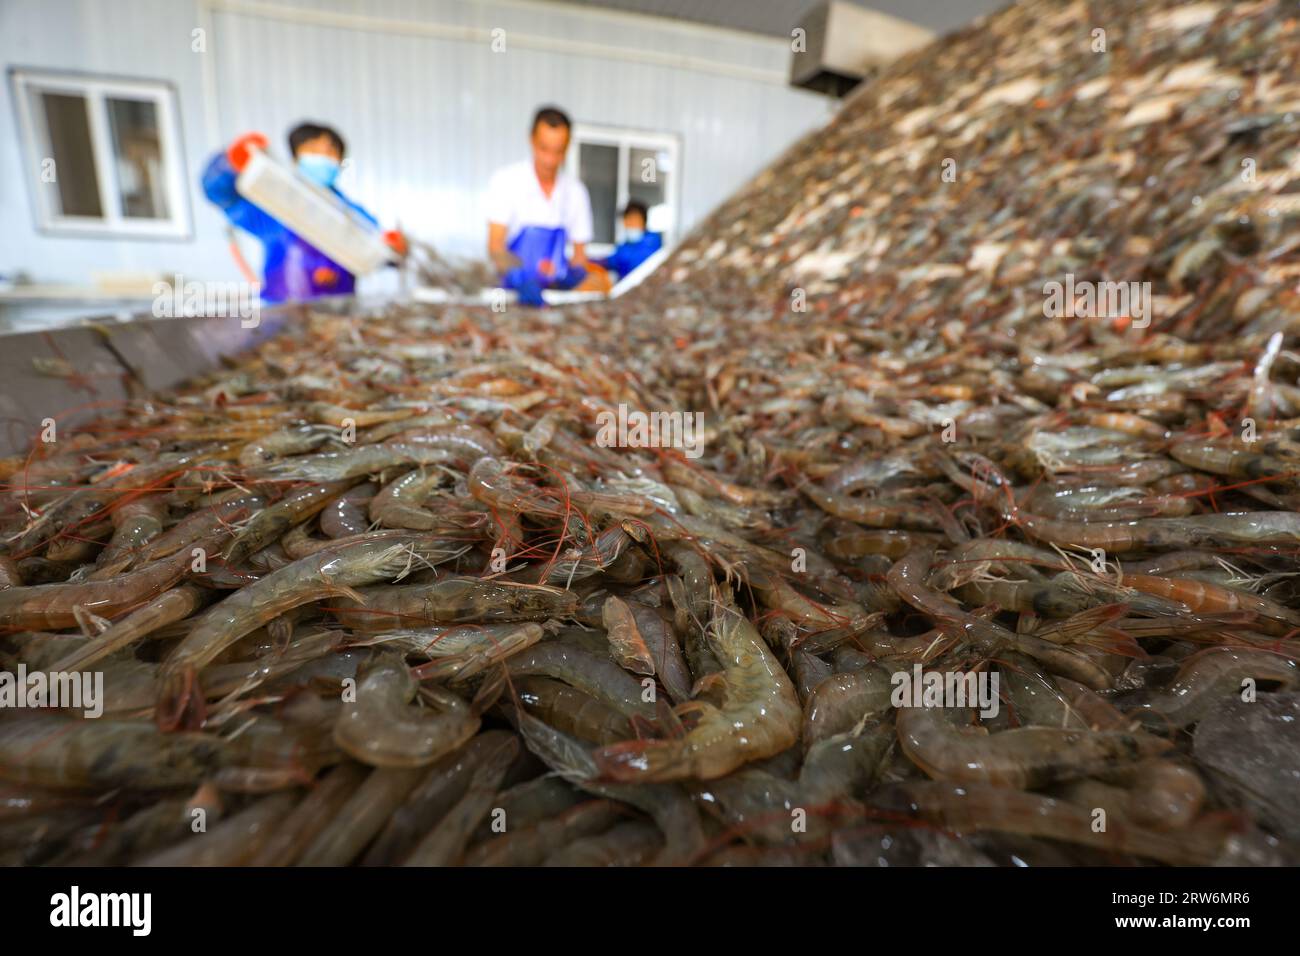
<point>29,84</point>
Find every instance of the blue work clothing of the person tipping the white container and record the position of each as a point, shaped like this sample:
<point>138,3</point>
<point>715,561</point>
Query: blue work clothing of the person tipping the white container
<point>291,261</point>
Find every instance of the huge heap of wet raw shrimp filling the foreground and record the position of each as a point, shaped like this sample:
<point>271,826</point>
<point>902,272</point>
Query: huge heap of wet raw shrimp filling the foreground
<point>972,557</point>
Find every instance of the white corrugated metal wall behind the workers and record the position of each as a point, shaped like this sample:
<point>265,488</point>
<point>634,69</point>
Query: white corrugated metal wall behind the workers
<point>428,107</point>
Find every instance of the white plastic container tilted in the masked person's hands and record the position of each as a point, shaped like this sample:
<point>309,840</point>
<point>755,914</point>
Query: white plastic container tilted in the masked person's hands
<point>314,214</point>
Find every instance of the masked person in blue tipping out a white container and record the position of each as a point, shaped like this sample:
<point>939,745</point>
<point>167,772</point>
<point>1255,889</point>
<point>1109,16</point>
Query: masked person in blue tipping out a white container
<point>293,269</point>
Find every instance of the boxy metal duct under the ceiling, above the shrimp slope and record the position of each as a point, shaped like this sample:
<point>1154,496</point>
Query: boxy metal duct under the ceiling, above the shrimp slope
<point>842,42</point>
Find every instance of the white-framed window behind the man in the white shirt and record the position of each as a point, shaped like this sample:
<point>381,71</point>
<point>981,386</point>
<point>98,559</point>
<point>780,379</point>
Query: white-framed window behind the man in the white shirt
<point>618,166</point>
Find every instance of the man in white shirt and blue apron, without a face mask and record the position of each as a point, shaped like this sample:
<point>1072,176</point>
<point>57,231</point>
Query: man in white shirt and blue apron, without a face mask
<point>535,211</point>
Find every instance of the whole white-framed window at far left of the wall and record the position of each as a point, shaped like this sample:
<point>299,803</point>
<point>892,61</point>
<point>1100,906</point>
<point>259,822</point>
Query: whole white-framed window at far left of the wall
<point>103,155</point>
